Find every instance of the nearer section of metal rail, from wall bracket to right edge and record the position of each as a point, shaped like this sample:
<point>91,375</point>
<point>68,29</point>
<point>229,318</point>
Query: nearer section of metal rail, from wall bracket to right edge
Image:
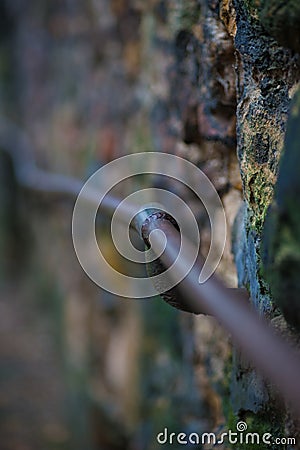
<point>269,353</point>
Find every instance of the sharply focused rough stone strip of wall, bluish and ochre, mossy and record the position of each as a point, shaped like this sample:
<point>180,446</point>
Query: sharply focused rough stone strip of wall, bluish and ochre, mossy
<point>267,76</point>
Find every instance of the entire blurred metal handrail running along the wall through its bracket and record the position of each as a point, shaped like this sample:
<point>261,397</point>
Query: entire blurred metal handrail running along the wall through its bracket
<point>268,351</point>
